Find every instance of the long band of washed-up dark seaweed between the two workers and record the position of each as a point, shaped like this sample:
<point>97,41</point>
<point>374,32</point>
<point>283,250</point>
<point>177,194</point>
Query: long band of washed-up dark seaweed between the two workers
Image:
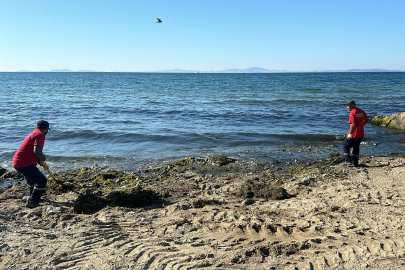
<point>156,187</point>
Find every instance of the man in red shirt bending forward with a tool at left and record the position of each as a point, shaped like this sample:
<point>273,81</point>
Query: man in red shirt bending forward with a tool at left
<point>26,159</point>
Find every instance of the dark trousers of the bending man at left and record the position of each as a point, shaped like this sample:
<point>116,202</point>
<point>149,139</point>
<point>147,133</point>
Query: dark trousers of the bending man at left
<point>36,182</point>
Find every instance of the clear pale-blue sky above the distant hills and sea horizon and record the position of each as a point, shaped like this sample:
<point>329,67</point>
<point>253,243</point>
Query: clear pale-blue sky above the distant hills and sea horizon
<point>122,35</point>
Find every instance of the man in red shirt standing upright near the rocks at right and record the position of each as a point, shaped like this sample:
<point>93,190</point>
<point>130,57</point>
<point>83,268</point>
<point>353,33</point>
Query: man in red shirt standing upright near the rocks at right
<point>357,119</point>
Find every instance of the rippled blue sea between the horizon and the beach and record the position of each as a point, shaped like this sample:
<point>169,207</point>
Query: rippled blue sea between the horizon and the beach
<point>131,121</point>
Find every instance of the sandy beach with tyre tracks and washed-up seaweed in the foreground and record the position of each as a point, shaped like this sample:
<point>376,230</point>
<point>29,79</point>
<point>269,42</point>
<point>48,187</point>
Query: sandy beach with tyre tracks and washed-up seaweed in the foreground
<point>212,213</point>
